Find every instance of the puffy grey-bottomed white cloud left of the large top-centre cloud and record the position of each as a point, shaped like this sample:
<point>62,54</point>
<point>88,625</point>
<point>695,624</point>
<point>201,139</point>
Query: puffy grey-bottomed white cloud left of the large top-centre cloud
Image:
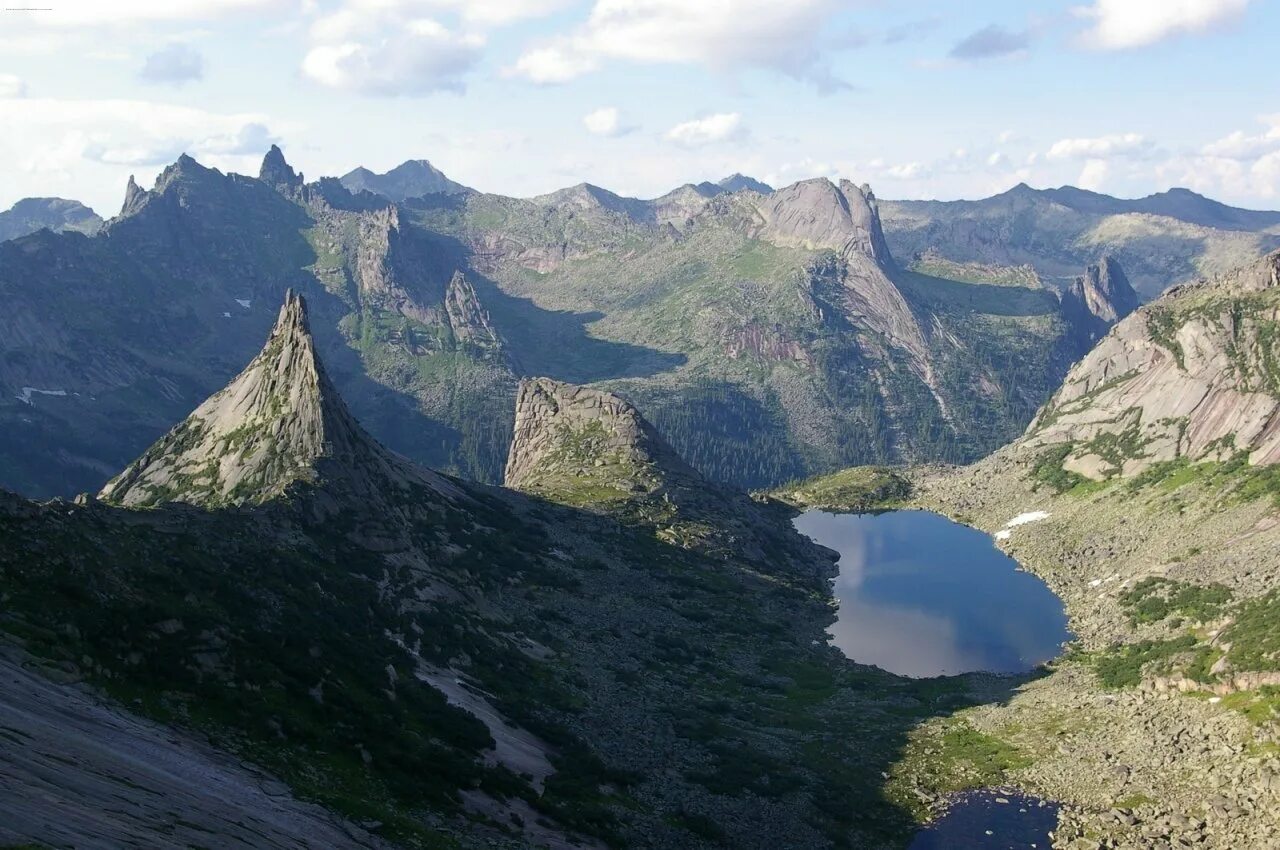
<point>381,52</point>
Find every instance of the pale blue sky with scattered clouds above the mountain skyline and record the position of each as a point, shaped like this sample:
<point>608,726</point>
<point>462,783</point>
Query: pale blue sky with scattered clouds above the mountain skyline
<point>922,99</point>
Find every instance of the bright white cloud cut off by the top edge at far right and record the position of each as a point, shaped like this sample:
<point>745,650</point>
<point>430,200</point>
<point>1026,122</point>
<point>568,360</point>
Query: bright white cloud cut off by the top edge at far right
<point>1118,25</point>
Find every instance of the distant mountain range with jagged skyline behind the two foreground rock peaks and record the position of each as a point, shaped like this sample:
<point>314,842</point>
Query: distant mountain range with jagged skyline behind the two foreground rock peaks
<point>793,325</point>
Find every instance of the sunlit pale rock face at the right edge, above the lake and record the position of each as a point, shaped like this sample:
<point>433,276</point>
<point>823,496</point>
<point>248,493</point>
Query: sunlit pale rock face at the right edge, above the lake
<point>1191,376</point>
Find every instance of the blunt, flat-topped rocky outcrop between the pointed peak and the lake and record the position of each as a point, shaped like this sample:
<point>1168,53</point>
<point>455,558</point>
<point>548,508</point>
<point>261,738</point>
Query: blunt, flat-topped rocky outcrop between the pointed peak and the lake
<point>566,432</point>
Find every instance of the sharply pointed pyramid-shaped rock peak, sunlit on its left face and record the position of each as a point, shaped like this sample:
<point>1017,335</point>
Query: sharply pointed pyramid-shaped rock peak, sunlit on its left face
<point>280,423</point>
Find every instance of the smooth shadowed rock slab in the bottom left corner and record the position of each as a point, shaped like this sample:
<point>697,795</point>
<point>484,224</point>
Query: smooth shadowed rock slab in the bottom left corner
<point>117,780</point>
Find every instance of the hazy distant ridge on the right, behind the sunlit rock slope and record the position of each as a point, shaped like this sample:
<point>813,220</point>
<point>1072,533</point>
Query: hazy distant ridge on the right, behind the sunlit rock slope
<point>1167,239</point>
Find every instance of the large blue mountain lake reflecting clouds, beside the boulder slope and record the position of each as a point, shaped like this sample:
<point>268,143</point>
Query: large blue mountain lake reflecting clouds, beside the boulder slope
<point>922,596</point>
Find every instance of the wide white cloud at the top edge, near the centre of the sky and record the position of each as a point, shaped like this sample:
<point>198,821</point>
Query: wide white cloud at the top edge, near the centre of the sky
<point>720,35</point>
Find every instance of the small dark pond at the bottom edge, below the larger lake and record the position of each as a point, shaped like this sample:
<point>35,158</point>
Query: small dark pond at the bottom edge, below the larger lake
<point>991,821</point>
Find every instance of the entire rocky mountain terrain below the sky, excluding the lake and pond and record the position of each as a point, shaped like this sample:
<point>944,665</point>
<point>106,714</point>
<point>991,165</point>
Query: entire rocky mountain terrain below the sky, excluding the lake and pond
<point>275,619</point>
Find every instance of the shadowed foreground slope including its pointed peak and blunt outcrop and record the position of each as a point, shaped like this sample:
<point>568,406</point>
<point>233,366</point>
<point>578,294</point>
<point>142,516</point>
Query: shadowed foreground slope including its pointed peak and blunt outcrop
<point>469,669</point>
